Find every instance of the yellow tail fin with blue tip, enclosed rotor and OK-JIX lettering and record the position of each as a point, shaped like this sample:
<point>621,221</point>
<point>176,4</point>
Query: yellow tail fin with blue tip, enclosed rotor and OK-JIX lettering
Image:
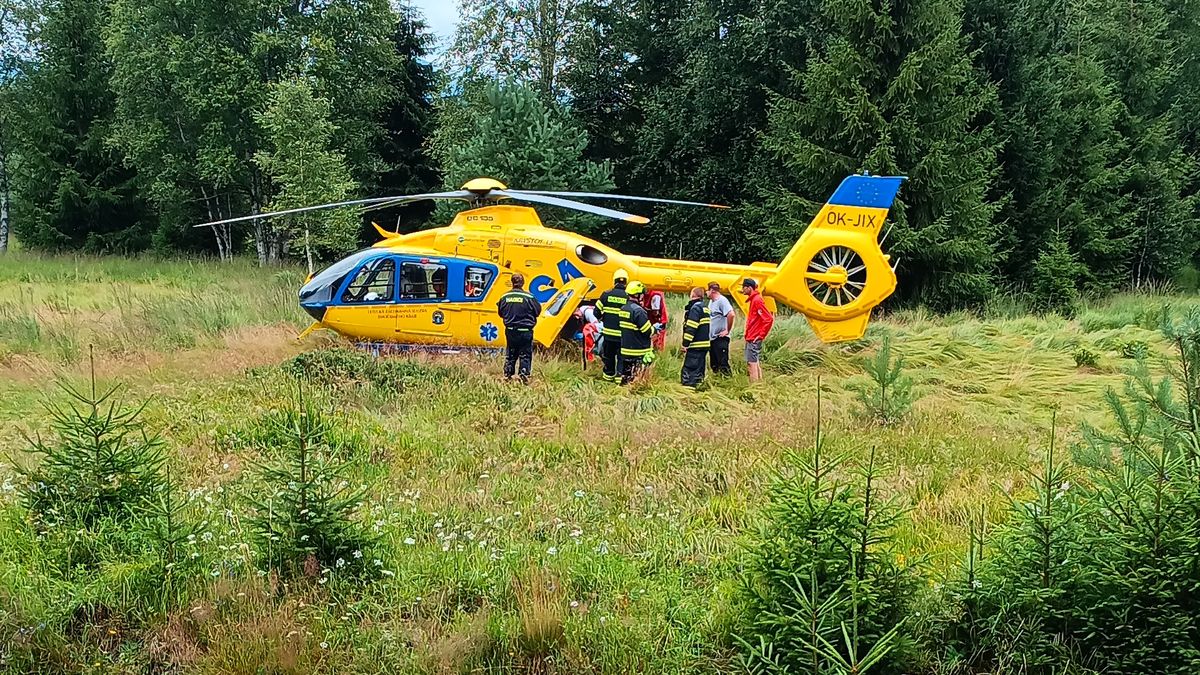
<point>837,273</point>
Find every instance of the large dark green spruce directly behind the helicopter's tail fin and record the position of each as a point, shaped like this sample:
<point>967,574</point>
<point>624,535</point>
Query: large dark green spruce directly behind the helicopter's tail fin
<point>892,92</point>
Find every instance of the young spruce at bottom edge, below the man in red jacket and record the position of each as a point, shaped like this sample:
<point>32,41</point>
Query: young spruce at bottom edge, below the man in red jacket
<point>824,589</point>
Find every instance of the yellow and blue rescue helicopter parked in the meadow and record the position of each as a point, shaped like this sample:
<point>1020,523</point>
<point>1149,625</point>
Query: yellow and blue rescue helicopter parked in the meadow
<point>441,286</point>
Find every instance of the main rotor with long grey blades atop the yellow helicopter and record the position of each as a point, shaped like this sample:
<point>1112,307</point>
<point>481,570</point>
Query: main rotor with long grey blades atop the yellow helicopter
<point>481,193</point>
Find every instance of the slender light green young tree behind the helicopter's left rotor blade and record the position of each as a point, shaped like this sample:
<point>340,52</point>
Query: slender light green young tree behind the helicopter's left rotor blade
<point>305,170</point>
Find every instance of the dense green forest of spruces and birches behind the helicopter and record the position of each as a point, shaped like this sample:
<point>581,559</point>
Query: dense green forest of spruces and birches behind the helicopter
<point>1051,147</point>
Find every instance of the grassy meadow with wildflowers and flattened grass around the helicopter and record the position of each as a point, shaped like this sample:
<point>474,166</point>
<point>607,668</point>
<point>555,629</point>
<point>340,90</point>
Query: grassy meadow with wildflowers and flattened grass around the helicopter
<point>565,528</point>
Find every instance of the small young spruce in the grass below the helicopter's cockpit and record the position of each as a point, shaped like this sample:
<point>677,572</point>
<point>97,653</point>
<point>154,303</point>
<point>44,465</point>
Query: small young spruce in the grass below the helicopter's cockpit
<point>307,521</point>
